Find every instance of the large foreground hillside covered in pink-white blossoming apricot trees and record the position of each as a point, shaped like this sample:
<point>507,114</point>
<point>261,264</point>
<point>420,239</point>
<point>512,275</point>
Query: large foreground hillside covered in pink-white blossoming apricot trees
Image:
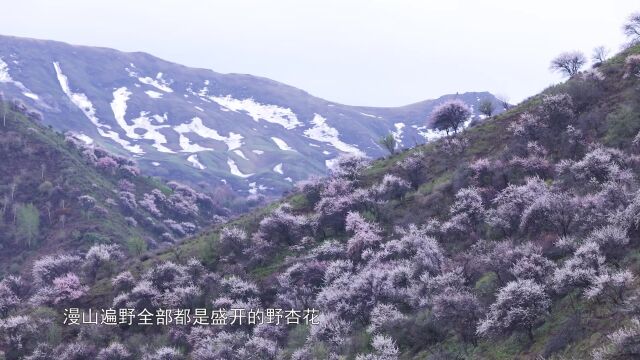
<point>517,238</point>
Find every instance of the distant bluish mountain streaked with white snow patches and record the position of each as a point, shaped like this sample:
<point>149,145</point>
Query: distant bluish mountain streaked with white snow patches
<point>197,125</point>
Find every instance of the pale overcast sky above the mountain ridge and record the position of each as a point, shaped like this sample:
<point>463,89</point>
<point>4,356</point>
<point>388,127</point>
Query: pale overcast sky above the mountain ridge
<point>356,52</point>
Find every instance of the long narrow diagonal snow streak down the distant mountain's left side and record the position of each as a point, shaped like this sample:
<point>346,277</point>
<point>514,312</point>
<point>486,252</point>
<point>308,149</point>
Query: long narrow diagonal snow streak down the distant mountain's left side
<point>82,102</point>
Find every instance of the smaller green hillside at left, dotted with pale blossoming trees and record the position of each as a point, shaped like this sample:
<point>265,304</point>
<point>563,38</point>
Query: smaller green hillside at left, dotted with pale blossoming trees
<point>58,194</point>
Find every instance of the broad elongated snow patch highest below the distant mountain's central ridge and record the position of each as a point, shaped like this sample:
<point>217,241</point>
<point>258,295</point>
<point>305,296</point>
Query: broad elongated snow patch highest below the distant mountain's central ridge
<point>274,114</point>
